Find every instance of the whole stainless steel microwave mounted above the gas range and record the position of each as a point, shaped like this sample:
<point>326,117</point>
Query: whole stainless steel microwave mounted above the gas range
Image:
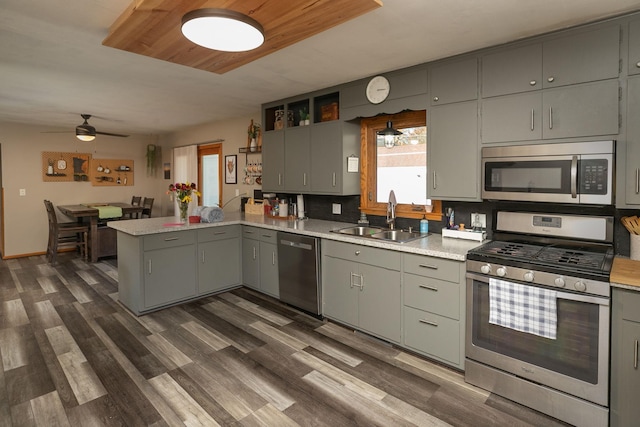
<point>576,172</point>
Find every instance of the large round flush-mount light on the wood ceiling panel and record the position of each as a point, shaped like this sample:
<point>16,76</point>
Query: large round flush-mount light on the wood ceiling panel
<point>222,29</point>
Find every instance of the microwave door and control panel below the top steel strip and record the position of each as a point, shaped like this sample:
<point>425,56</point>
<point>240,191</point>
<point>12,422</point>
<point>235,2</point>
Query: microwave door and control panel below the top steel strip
<point>559,179</point>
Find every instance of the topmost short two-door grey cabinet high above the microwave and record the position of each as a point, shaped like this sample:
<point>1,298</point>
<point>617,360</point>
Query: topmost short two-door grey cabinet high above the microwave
<point>579,58</point>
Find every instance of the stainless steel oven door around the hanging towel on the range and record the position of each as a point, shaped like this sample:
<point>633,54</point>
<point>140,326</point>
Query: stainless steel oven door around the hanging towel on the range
<point>576,362</point>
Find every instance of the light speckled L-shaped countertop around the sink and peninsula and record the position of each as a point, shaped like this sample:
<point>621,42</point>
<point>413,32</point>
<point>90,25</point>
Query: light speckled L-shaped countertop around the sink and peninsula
<point>433,245</point>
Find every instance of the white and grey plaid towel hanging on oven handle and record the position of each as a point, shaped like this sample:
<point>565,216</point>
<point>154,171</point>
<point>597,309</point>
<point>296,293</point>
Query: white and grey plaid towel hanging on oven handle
<point>524,308</point>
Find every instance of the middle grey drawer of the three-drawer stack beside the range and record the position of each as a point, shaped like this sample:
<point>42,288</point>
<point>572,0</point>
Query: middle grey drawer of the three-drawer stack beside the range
<point>437,296</point>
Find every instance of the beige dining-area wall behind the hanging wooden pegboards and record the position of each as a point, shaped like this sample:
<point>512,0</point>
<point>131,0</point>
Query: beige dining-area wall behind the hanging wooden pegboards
<point>24,217</point>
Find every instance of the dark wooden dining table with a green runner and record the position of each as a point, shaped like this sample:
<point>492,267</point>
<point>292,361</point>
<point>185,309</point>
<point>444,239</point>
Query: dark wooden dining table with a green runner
<point>94,212</point>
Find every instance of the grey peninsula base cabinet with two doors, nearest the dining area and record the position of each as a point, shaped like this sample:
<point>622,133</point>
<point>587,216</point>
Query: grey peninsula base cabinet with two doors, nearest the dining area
<point>164,269</point>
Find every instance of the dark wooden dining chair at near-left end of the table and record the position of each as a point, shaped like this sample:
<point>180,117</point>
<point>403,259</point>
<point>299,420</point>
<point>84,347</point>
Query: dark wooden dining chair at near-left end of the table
<point>65,235</point>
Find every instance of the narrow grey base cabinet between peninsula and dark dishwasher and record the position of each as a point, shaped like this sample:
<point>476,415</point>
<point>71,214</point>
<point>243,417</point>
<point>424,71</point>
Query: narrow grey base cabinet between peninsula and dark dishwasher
<point>260,260</point>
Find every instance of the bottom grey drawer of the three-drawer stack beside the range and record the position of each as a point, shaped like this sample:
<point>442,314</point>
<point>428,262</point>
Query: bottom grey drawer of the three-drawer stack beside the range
<point>432,334</point>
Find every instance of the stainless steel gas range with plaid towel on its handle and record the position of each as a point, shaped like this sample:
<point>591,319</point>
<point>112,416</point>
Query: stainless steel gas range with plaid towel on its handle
<point>538,304</point>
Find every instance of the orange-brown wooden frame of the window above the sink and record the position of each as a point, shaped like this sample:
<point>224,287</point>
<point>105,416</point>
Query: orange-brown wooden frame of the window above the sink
<point>368,175</point>
